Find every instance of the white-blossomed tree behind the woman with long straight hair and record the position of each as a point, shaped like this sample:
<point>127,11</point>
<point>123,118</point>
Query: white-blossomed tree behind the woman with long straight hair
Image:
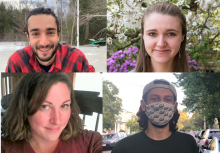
<point>203,18</point>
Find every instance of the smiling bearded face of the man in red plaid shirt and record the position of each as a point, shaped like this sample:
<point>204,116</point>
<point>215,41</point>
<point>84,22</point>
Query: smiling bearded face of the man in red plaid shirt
<point>43,37</point>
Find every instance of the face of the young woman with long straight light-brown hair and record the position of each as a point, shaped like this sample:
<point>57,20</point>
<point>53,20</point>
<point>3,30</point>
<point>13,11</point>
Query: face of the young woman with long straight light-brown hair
<point>162,37</point>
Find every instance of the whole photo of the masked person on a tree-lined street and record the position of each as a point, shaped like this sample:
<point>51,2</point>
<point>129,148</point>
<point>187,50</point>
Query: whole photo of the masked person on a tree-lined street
<point>153,109</point>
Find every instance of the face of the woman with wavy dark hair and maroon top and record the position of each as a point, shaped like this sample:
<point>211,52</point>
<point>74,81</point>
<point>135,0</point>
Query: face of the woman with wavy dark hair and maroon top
<point>52,117</point>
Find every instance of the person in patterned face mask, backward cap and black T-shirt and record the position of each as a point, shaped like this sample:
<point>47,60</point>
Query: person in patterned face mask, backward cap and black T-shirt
<point>158,116</point>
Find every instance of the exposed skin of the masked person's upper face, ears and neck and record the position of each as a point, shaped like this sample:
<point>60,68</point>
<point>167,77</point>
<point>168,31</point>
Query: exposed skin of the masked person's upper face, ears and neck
<point>157,95</point>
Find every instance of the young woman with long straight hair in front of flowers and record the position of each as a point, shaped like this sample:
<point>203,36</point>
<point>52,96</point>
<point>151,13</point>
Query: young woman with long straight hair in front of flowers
<point>163,40</point>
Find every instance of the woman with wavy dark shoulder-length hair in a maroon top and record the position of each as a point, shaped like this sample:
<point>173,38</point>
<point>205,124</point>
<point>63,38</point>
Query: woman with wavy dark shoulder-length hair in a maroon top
<point>43,117</point>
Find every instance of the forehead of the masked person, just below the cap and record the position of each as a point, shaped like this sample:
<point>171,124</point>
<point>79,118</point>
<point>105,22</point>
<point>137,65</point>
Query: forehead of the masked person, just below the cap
<point>160,92</point>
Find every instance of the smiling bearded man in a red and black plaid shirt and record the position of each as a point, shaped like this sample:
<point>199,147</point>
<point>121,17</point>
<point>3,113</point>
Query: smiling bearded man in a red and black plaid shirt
<point>44,53</point>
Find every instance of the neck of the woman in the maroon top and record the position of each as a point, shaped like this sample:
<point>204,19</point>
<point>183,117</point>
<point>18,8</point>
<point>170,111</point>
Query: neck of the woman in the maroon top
<point>42,146</point>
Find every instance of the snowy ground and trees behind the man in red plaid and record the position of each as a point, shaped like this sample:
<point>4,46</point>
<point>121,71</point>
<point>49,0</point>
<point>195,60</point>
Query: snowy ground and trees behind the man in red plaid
<point>92,27</point>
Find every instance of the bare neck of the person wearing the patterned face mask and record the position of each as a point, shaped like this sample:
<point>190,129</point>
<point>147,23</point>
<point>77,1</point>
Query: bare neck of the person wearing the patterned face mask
<point>157,133</point>
